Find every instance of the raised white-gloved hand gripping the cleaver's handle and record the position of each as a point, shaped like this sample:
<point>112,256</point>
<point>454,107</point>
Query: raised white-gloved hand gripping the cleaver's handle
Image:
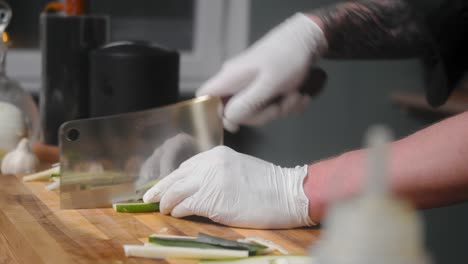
<point>274,67</point>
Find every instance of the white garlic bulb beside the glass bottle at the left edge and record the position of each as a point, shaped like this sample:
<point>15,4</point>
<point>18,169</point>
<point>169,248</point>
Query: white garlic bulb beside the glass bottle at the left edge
<point>20,160</point>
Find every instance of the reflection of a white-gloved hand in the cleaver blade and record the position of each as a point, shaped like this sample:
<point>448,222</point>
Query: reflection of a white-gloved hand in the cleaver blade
<point>167,157</point>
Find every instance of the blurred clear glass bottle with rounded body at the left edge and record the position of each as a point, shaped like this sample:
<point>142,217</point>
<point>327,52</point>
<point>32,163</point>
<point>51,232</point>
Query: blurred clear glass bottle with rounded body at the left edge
<point>19,116</point>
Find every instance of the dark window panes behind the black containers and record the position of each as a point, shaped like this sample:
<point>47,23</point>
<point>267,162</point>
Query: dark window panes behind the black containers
<point>130,20</point>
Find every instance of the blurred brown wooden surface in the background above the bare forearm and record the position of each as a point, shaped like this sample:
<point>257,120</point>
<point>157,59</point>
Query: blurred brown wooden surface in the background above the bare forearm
<point>457,102</point>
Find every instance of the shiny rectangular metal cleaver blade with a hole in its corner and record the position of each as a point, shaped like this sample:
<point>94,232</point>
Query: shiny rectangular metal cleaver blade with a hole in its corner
<point>117,158</point>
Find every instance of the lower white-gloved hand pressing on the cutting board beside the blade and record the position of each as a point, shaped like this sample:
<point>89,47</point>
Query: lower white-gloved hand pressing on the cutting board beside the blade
<point>234,189</point>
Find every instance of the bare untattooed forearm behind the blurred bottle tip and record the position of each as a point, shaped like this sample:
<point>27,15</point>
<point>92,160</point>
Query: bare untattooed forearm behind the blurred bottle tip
<point>428,168</point>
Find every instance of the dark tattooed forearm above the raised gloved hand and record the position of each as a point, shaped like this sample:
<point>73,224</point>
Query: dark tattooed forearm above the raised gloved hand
<point>373,29</point>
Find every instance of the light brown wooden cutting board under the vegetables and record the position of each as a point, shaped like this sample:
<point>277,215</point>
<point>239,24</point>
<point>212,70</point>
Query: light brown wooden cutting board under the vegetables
<point>33,229</point>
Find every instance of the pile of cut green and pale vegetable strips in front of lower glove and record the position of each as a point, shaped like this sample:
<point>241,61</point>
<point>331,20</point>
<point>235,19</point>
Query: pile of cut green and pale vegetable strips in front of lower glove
<point>211,249</point>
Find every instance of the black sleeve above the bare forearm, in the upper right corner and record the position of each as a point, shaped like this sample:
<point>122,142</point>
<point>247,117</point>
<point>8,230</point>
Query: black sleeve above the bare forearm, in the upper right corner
<point>446,62</point>
